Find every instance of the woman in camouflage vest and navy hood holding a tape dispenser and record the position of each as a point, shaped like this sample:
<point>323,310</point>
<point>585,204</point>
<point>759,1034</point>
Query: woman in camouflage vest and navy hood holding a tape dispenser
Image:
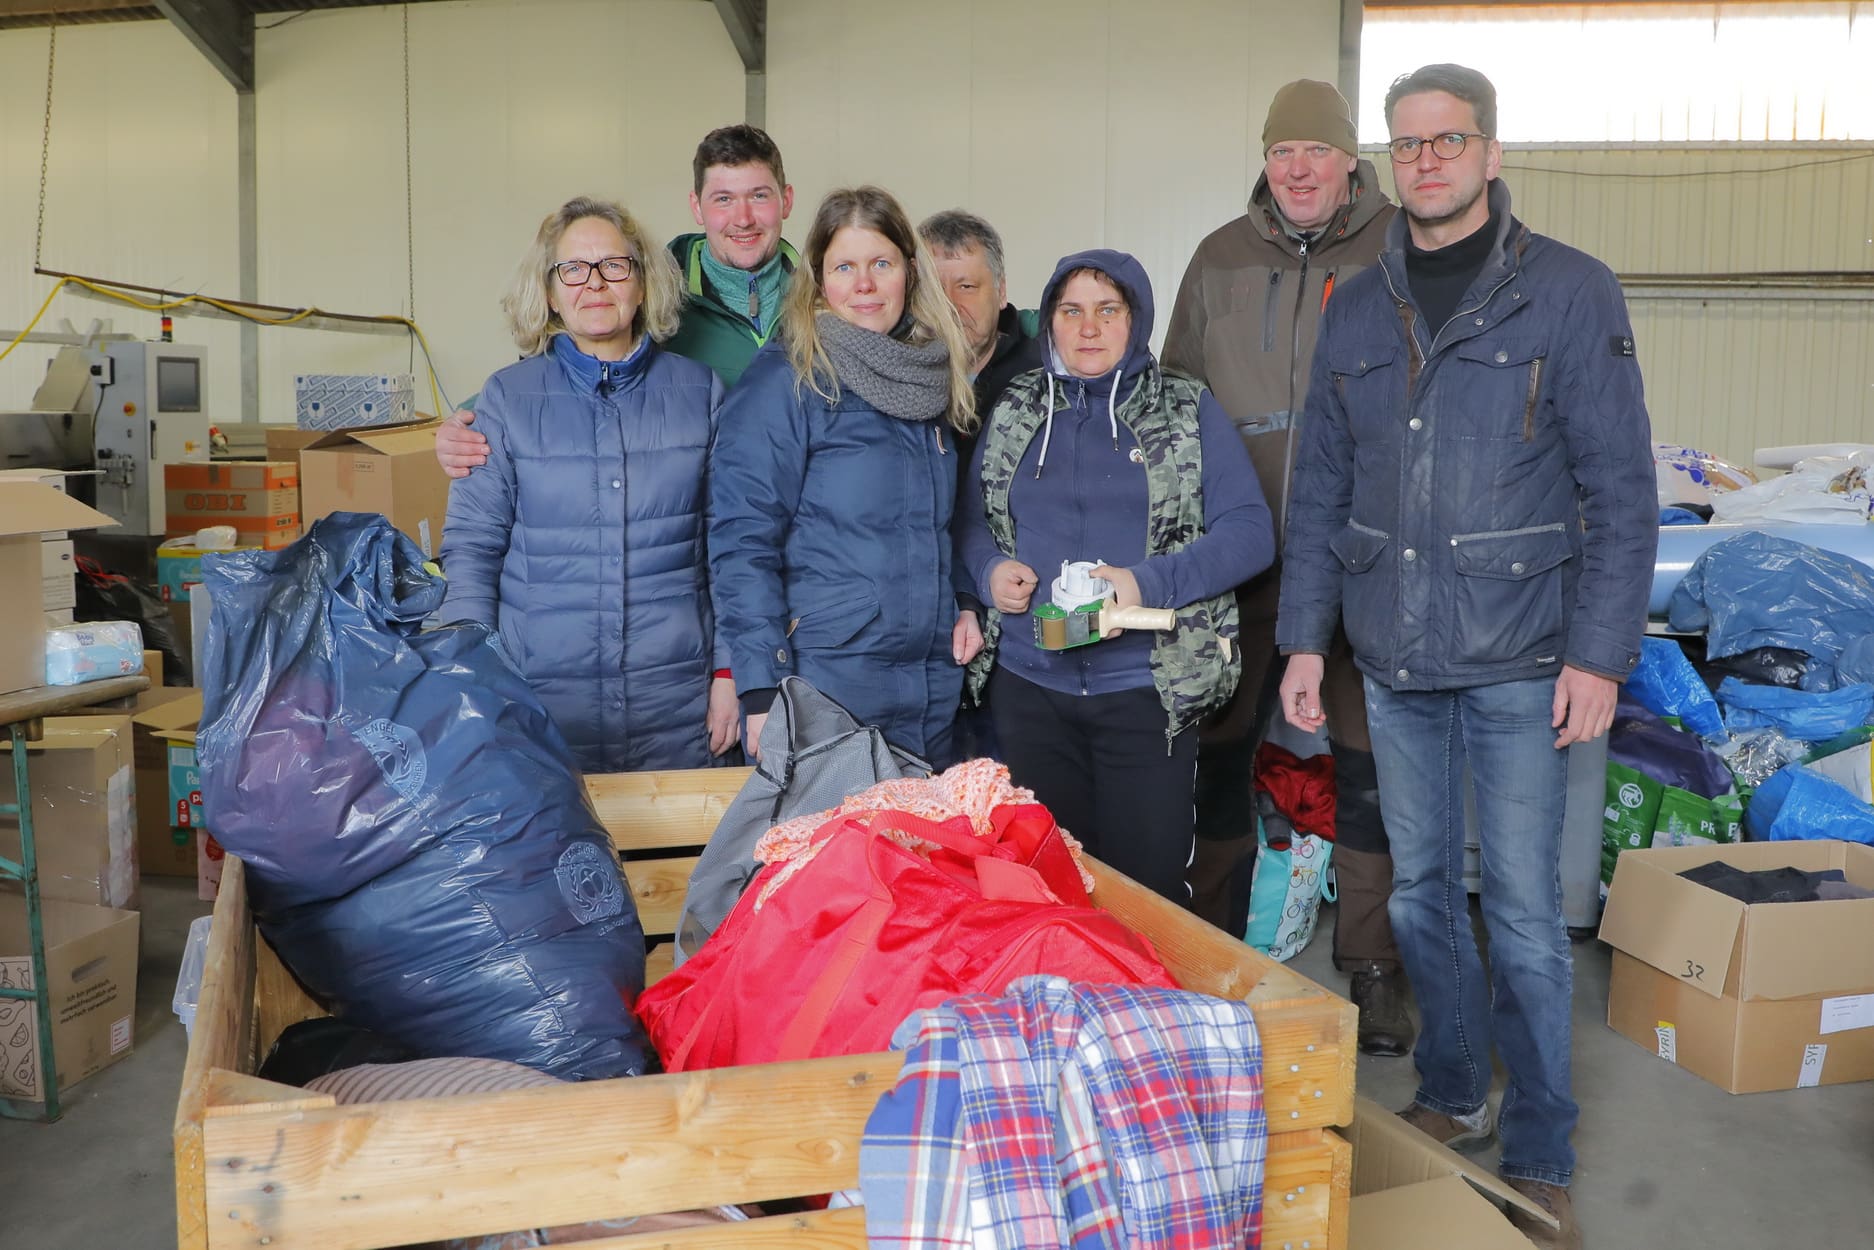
<point>1105,456</point>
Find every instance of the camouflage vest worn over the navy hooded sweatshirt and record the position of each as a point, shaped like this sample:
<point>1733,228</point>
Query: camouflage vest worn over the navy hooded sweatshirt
<point>1195,666</point>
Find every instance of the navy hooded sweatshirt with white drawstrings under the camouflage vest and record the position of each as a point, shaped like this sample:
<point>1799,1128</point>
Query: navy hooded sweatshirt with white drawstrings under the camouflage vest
<point>1090,503</point>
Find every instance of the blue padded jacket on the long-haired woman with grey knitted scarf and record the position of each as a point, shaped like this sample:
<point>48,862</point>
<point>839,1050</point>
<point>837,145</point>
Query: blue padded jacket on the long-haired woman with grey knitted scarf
<point>831,552</point>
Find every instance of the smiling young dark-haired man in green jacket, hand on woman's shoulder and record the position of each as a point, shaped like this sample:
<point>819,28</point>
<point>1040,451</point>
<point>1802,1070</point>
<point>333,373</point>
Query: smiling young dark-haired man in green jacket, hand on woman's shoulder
<point>736,271</point>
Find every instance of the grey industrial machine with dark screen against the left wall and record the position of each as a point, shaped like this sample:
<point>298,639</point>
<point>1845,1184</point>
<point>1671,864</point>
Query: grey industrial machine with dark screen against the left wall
<point>123,409</point>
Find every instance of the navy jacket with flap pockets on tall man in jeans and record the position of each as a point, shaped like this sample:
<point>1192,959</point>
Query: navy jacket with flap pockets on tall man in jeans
<point>1481,505</point>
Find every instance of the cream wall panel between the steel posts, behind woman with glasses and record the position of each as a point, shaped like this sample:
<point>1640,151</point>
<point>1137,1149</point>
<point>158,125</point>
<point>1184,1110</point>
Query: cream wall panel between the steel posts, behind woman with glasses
<point>516,106</point>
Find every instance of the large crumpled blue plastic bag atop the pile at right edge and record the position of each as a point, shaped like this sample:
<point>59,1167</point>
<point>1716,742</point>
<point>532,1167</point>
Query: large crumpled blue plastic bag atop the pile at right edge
<point>1764,591</point>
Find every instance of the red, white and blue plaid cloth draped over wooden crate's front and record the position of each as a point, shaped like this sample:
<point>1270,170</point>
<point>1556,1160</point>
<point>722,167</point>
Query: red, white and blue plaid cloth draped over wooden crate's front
<point>1097,1118</point>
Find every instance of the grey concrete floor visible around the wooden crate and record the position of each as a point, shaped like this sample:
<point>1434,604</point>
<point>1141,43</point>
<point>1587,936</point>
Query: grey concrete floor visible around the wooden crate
<point>1665,1159</point>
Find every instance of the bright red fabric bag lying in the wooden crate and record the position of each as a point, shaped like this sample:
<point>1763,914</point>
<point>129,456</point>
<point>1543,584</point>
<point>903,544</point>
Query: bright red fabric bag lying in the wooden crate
<point>870,932</point>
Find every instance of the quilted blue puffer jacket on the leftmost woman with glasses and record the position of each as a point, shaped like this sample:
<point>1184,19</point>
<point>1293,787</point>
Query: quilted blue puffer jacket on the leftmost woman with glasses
<point>582,543</point>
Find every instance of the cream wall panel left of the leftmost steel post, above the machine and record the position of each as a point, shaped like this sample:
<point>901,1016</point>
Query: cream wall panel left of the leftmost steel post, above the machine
<point>140,188</point>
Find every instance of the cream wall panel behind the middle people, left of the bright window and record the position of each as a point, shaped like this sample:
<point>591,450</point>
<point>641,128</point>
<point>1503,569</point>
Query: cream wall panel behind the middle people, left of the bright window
<point>1067,125</point>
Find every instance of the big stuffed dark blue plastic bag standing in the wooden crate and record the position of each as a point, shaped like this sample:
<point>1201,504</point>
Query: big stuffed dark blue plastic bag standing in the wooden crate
<point>421,850</point>
